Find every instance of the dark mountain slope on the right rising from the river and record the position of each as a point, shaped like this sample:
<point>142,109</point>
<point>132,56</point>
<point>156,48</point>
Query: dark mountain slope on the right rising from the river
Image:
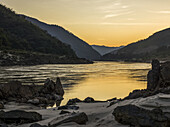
<point>155,46</point>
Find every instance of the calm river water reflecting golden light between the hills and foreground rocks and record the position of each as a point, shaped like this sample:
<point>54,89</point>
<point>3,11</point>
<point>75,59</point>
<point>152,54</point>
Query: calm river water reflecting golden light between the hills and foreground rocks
<point>101,80</point>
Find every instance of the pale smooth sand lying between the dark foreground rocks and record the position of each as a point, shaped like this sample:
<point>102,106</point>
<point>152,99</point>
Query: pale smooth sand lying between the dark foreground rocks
<point>99,114</point>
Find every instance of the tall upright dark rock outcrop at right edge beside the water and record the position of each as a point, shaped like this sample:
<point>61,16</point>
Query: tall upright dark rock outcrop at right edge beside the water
<point>158,81</point>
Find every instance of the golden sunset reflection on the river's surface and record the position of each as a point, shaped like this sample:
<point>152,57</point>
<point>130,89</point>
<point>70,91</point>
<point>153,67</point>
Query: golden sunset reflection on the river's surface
<point>111,81</point>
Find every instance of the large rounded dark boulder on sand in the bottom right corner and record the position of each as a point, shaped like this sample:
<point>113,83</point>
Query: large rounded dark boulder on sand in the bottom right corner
<point>139,117</point>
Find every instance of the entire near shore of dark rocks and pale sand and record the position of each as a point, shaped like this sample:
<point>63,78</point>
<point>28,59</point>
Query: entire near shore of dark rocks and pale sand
<point>142,108</point>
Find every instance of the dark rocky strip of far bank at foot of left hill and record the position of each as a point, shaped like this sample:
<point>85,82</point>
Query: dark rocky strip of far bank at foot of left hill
<point>25,58</point>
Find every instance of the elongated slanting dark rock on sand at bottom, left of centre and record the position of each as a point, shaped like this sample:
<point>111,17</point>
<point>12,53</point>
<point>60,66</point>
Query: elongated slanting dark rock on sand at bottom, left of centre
<point>79,118</point>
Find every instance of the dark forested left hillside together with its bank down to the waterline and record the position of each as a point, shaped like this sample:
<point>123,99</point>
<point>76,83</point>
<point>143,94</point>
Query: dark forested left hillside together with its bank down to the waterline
<point>18,35</point>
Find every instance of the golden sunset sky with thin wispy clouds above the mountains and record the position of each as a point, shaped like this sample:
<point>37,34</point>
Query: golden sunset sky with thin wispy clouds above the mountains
<point>100,22</point>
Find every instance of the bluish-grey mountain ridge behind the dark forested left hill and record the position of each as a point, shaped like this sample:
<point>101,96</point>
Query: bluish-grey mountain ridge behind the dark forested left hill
<point>81,48</point>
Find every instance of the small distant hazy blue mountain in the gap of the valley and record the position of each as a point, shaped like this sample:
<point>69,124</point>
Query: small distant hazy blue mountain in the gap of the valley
<point>104,49</point>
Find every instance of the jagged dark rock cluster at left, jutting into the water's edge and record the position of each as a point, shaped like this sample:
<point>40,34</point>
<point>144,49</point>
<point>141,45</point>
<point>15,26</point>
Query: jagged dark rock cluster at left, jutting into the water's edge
<point>46,94</point>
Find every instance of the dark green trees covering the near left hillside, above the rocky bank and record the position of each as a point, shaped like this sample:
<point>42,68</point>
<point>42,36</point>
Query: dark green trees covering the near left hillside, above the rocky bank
<point>16,33</point>
